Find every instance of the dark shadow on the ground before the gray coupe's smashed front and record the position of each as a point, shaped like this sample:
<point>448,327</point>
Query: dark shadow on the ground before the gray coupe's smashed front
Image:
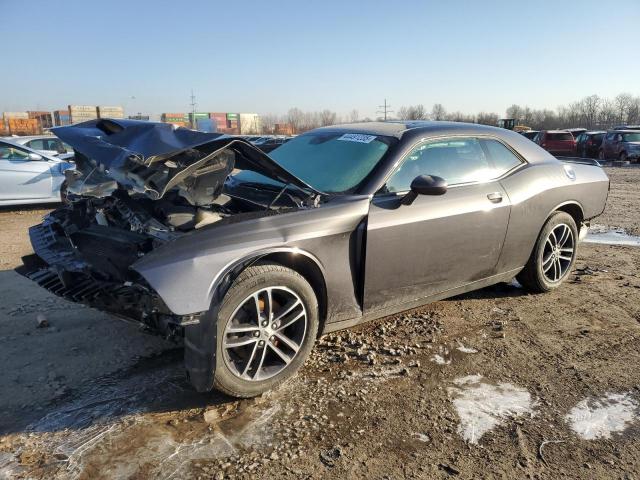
<point>83,366</point>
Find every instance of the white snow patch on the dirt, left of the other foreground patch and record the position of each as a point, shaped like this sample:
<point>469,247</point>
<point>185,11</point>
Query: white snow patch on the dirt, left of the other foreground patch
<point>482,406</point>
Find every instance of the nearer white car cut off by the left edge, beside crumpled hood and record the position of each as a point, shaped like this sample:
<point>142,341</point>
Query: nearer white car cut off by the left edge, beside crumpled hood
<point>28,176</point>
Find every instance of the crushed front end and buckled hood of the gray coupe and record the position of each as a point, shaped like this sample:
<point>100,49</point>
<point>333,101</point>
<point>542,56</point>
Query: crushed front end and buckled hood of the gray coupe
<point>138,186</point>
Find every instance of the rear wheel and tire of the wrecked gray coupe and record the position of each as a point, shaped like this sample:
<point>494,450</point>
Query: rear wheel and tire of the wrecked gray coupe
<point>539,275</point>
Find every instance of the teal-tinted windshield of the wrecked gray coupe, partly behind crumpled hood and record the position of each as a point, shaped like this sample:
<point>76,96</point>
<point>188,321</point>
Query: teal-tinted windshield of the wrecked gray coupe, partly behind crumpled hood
<point>331,162</point>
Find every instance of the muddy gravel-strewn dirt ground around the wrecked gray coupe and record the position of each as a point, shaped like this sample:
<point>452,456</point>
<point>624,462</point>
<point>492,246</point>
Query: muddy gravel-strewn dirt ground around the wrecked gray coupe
<point>492,384</point>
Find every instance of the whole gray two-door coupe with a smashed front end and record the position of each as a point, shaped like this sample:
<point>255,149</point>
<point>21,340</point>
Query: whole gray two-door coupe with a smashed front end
<point>248,258</point>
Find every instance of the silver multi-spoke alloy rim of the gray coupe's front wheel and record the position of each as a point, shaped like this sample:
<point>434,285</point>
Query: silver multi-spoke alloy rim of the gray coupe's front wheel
<point>265,333</point>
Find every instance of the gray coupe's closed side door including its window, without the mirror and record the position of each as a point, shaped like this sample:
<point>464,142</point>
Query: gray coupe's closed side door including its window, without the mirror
<point>437,242</point>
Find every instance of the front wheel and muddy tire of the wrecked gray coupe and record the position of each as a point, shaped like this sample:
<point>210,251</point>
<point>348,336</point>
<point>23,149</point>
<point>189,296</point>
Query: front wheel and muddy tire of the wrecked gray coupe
<point>249,370</point>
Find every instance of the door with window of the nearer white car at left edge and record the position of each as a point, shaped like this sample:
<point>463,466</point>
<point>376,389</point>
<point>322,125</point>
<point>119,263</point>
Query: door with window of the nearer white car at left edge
<point>21,177</point>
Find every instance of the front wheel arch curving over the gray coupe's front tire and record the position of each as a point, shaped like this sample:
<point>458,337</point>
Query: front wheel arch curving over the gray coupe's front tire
<point>300,261</point>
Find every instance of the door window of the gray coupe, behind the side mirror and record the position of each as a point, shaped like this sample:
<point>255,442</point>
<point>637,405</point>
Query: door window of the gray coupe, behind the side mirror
<point>457,160</point>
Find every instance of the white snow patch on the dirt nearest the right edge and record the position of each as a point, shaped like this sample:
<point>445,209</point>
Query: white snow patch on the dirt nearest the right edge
<point>600,418</point>
